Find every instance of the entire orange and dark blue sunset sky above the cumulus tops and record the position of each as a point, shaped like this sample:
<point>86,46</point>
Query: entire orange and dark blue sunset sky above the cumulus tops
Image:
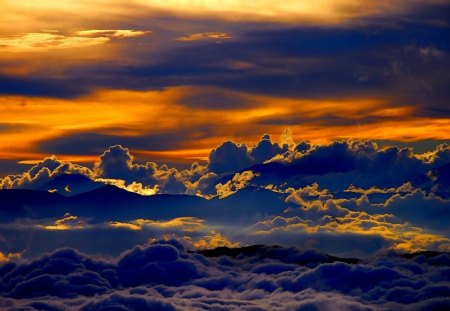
<point>171,80</point>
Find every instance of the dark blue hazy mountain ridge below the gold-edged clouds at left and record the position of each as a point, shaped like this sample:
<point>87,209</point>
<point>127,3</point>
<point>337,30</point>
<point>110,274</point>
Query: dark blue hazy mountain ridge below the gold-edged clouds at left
<point>111,203</point>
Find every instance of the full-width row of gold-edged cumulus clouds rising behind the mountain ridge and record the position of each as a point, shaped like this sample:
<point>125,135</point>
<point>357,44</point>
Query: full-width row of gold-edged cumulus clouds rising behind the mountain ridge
<point>340,166</point>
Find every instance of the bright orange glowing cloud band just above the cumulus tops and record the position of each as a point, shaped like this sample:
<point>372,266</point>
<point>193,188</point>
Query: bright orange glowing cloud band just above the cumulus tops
<point>134,114</point>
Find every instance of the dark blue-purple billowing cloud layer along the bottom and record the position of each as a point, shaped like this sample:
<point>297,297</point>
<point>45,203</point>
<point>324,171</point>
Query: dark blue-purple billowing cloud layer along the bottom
<point>166,276</point>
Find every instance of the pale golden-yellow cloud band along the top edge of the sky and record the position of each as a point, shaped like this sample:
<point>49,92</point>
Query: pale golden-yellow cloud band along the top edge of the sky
<point>28,14</point>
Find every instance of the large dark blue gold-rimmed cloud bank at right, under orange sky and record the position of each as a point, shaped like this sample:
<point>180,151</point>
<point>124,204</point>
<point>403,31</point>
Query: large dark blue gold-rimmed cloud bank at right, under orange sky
<point>364,164</point>
